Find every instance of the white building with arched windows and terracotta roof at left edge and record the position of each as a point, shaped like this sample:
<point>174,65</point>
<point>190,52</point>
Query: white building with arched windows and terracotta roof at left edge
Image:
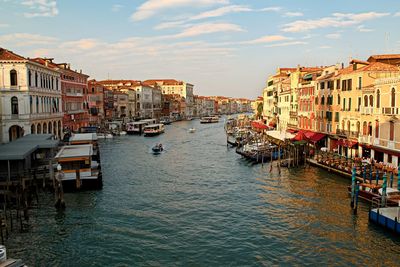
<point>30,98</point>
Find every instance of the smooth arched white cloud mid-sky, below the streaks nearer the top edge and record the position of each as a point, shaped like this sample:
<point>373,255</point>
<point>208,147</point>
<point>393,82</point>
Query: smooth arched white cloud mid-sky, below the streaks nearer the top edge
<point>207,28</point>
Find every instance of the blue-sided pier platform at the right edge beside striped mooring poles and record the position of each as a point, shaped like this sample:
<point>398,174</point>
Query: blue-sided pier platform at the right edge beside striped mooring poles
<point>386,217</point>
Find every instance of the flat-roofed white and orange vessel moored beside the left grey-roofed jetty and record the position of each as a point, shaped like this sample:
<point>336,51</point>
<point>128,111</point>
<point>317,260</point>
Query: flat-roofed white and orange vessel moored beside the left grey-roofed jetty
<point>80,170</point>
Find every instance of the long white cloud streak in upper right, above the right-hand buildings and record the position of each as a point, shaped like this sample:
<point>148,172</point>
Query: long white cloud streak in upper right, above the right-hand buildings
<point>337,20</point>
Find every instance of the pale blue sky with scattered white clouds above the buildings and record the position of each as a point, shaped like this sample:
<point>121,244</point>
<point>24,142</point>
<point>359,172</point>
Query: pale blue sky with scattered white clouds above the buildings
<point>223,47</point>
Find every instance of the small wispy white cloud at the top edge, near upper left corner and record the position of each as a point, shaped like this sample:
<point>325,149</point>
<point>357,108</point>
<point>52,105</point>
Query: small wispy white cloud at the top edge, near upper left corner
<point>41,8</point>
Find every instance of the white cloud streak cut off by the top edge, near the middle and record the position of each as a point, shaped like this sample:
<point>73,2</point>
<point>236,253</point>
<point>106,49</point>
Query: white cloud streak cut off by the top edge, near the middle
<point>152,7</point>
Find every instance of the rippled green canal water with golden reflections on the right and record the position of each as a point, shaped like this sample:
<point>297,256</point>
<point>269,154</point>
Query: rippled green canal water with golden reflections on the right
<point>200,204</point>
